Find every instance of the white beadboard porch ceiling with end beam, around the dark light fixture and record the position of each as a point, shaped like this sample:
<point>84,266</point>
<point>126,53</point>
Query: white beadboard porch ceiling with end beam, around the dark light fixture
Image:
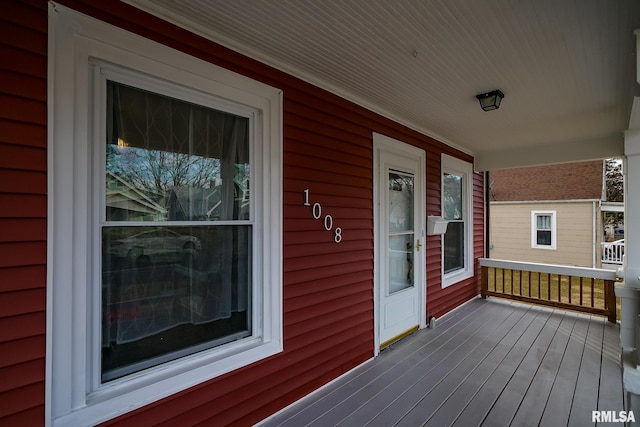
<point>567,67</point>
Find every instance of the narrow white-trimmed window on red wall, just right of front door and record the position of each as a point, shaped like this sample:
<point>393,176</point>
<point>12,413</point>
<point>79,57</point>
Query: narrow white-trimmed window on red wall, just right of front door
<point>457,242</point>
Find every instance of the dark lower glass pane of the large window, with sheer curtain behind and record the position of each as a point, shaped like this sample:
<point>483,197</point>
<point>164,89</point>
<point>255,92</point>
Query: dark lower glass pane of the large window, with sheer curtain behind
<point>172,291</point>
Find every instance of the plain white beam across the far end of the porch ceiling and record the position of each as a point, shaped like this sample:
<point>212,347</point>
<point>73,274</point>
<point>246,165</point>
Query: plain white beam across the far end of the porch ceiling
<point>595,149</point>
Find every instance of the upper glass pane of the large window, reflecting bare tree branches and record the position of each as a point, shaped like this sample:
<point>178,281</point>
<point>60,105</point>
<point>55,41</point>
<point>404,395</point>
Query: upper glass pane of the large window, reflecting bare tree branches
<point>170,160</point>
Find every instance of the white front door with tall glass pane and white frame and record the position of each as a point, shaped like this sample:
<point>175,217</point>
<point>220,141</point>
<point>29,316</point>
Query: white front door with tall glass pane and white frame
<point>399,197</point>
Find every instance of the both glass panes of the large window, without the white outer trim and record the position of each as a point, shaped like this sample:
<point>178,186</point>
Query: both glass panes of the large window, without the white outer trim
<point>168,288</point>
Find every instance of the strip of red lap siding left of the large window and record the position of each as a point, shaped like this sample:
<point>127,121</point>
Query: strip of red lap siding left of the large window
<point>23,211</point>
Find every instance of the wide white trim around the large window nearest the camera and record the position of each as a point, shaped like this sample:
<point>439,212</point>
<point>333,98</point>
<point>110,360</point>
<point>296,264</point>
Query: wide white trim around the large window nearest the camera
<point>71,395</point>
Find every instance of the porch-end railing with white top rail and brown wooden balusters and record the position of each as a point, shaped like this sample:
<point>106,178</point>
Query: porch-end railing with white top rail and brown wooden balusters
<point>589,290</point>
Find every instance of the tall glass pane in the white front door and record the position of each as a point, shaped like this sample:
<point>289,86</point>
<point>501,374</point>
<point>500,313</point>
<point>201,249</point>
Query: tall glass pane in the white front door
<point>401,234</point>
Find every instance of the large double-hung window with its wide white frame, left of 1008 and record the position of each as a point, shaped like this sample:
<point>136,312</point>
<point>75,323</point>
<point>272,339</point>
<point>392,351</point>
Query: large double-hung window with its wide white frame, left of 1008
<point>165,228</point>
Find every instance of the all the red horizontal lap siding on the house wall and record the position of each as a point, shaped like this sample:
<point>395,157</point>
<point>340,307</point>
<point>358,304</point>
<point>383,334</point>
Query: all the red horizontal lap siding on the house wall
<point>328,287</point>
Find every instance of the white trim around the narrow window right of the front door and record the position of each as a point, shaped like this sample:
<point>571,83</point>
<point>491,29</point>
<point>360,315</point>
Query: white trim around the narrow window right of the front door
<point>454,165</point>
